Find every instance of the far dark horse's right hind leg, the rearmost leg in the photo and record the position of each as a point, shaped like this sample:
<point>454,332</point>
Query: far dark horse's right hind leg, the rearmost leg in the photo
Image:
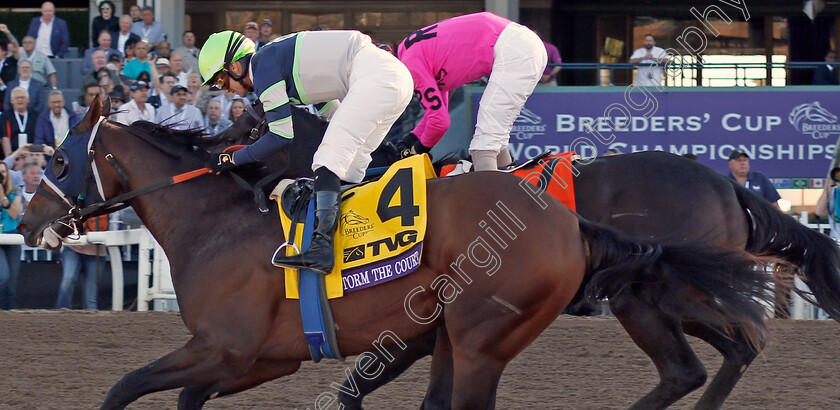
<point>737,356</point>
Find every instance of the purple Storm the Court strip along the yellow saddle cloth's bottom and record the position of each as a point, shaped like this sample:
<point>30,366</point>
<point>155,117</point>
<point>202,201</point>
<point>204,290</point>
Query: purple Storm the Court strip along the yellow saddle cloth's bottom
<point>383,271</point>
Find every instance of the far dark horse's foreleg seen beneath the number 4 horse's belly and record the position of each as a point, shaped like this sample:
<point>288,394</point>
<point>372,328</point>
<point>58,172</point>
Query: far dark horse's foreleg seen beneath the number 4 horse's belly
<point>398,362</point>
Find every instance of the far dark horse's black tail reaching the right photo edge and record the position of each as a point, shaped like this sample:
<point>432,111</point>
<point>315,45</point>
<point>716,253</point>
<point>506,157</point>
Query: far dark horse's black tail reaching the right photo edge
<point>779,235</point>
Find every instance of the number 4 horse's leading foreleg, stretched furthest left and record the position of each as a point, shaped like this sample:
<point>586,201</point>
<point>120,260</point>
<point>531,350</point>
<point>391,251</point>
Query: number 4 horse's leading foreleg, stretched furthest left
<point>197,363</point>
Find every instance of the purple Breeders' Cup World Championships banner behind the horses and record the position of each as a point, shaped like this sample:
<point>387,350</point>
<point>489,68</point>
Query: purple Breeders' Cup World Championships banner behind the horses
<point>787,134</point>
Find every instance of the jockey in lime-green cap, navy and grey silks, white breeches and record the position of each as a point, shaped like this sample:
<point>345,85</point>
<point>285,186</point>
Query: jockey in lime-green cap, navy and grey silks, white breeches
<point>313,67</point>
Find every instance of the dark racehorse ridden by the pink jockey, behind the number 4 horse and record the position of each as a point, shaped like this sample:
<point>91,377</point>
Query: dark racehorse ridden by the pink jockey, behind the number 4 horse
<point>663,196</point>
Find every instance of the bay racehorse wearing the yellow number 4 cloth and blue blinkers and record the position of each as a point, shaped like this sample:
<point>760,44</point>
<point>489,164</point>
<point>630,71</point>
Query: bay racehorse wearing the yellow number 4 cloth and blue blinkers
<point>245,332</point>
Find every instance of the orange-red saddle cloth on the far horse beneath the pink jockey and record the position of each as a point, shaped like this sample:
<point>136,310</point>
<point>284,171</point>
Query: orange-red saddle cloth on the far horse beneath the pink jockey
<point>553,174</point>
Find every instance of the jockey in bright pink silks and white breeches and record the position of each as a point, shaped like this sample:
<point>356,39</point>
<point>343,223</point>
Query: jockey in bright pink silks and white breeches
<point>446,55</point>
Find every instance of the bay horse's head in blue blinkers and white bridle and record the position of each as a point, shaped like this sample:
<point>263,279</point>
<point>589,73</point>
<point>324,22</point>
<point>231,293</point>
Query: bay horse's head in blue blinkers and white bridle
<point>68,184</point>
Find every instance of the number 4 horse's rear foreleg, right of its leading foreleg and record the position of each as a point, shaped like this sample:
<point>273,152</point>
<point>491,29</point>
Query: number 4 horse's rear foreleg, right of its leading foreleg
<point>261,371</point>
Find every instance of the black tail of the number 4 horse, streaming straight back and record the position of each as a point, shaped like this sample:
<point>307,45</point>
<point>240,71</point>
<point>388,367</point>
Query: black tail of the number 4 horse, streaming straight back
<point>717,287</point>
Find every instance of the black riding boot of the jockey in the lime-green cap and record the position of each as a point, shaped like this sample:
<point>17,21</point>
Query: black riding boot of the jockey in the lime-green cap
<point>320,256</point>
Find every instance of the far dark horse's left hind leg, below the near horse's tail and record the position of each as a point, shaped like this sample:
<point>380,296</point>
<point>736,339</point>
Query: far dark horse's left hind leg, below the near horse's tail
<point>661,337</point>
